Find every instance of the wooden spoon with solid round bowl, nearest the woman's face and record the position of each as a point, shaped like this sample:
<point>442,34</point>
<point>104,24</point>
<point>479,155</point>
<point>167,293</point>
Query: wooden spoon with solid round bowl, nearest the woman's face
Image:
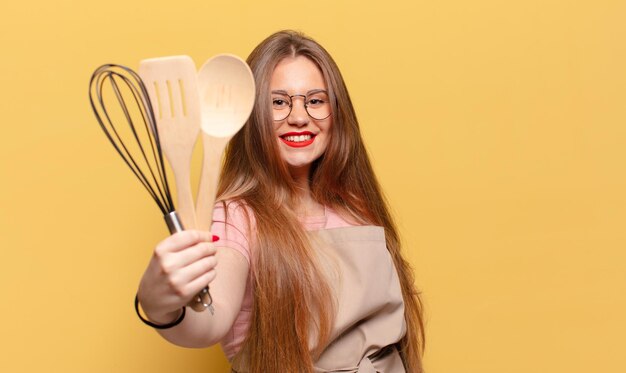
<point>227,93</point>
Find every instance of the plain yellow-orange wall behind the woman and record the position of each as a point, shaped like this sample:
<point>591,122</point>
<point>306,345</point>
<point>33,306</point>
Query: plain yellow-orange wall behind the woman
<point>498,131</point>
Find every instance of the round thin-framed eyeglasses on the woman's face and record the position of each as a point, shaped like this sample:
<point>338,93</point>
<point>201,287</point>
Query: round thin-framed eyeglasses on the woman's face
<point>316,104</point>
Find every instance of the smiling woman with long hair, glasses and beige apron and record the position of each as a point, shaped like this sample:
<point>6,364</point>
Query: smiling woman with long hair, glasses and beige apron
<point>311,277</point>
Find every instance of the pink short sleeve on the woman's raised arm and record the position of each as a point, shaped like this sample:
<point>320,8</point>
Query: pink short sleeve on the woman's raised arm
<point>232,224</point>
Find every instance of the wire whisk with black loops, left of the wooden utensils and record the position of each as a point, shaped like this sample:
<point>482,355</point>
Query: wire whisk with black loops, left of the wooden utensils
<point>116,91</point>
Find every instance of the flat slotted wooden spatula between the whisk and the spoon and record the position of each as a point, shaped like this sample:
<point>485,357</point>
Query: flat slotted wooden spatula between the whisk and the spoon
<point>173,89</point>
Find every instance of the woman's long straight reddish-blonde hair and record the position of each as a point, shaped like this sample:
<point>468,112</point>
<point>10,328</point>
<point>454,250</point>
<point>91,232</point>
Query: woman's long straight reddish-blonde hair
<point>290,293</point>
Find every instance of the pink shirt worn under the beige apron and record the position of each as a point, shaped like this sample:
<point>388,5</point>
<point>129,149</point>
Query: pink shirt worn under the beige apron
<point>235,235</point>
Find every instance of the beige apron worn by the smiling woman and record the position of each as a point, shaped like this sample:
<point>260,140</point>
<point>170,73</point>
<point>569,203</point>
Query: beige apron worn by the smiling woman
<point>370,310</point>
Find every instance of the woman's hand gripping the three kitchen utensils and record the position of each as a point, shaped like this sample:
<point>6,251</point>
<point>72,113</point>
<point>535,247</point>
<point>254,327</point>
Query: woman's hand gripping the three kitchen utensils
<point>182,265</point>
